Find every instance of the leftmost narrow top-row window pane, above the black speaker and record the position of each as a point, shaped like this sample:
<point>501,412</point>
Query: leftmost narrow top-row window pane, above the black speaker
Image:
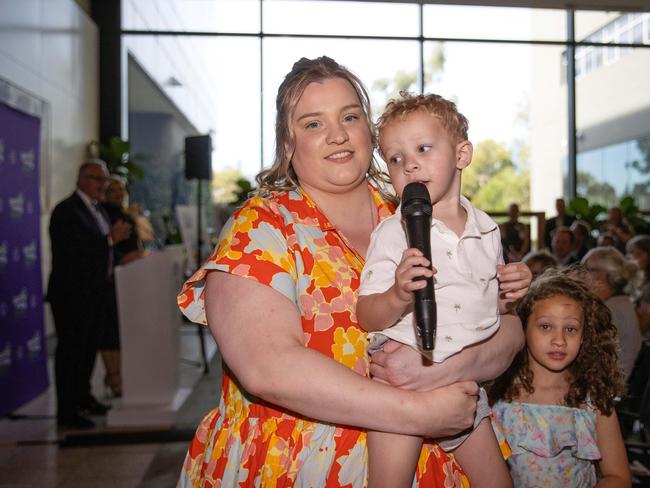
<point>192,15</point>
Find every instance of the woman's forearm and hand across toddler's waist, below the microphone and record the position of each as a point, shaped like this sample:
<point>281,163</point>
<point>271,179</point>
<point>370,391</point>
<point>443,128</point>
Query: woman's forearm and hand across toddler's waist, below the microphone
<point>401,366</point>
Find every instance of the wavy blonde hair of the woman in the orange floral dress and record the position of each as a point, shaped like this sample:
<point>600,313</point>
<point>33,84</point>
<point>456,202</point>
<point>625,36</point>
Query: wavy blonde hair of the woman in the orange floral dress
<point>281,175</point>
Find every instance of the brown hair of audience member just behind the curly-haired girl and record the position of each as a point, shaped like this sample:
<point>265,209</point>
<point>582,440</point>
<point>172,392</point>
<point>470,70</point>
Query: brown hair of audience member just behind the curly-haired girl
<point>621,275</point>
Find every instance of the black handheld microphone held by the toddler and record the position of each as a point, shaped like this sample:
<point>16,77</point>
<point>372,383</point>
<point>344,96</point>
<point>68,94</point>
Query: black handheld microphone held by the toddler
<point>416,214</point>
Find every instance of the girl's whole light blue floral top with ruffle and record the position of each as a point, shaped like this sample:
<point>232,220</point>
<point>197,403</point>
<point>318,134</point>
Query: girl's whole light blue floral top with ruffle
<point>552,445</point>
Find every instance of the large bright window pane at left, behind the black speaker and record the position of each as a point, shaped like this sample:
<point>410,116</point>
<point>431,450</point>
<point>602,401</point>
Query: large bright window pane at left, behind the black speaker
<point>206,80</point>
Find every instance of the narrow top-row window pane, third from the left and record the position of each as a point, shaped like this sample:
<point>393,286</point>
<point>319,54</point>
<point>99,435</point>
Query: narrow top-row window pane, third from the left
<point>469,22</point>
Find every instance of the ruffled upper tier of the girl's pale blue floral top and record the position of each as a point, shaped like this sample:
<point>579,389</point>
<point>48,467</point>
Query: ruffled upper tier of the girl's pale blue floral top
<point>546,430</point>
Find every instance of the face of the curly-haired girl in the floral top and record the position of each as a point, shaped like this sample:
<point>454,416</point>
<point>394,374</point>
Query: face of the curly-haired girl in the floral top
<point>554,333</point>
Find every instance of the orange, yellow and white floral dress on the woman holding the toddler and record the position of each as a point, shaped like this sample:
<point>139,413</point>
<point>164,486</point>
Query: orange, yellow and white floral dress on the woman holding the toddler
<point>286,242</point>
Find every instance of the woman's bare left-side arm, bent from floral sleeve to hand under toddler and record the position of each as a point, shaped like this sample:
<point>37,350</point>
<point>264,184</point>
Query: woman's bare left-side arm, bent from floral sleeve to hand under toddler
<point>260,337</point>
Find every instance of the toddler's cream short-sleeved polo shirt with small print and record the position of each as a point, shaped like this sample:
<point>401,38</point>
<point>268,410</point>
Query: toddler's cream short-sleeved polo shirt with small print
<point>466,286</point>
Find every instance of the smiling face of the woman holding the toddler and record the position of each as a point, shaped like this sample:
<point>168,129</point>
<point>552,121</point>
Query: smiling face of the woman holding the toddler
<point>332,148</point>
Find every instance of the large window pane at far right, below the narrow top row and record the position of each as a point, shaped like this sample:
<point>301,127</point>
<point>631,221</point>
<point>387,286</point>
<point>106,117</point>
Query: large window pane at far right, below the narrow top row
<point>614,137</point>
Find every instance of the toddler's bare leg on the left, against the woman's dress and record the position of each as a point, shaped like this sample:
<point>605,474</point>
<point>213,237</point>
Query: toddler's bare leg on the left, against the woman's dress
<point>392,459</point>
